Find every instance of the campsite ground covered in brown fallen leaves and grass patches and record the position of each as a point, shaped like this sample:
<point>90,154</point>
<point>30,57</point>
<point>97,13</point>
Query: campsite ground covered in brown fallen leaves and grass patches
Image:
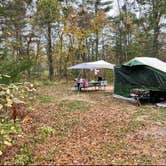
<point>89,128</point>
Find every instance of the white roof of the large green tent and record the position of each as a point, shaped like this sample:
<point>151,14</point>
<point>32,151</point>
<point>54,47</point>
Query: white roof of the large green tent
<point>147,61</point>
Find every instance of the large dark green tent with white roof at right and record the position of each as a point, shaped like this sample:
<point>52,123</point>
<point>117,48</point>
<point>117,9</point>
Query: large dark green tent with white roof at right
<point>141,72</point>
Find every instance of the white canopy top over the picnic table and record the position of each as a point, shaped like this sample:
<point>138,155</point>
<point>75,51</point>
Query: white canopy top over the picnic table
<point>93,65</point>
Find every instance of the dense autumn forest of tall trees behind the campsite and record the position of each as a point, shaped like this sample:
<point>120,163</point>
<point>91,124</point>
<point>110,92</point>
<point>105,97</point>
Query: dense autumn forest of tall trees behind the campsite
<point>41,38</point>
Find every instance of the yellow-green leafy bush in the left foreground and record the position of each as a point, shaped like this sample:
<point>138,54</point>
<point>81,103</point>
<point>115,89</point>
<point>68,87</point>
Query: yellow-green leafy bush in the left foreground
<point>9,95</point>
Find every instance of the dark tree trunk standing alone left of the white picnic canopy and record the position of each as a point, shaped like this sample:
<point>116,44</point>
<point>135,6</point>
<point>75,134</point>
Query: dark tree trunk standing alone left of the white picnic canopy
<point>49,53</point>
